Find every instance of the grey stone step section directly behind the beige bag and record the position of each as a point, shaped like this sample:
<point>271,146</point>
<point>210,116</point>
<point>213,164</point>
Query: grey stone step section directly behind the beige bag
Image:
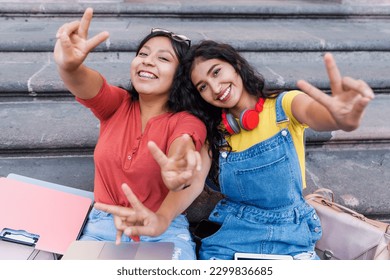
<point>358,175</point>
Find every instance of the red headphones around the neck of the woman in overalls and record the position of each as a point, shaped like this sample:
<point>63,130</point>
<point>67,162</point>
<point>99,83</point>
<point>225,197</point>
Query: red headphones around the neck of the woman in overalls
<point>249,119</point>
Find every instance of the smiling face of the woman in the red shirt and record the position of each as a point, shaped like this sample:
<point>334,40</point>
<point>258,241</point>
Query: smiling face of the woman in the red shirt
<point>154,67</point>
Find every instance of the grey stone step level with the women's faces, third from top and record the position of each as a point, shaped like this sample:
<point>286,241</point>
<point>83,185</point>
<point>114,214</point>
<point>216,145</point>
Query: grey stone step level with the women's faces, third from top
<point>37,74</point>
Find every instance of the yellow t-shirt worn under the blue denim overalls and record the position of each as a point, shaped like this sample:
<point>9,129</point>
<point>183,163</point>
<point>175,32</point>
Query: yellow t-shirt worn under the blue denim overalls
<point>267,128</point>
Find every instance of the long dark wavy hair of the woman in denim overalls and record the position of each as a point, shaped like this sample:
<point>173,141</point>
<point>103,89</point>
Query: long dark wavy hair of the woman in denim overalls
<point>253,82</point>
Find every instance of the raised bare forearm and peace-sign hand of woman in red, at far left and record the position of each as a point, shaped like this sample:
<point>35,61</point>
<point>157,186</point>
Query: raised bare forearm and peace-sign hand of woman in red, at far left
<point>71,49</point>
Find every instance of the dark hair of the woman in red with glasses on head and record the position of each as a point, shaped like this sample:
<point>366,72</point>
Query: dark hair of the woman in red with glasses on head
<point>175,101</point>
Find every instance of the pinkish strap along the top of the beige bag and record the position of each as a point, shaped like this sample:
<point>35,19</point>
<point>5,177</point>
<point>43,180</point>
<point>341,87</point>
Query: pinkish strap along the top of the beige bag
<point>326,197</point>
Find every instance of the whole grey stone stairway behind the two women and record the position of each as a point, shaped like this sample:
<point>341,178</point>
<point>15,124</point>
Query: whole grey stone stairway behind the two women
<point>45,134</point>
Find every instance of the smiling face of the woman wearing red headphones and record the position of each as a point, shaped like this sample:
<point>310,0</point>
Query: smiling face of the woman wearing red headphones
<point>217,82</point>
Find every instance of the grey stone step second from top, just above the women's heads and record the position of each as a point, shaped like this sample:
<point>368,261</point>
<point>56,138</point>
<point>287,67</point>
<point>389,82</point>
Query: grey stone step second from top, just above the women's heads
<point>246,34</point>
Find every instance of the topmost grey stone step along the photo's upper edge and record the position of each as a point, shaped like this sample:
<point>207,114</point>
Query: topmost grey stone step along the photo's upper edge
<point>203,8</point>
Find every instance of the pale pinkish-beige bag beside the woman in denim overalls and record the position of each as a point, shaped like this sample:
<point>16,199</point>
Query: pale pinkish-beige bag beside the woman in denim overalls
<point>346,234</point>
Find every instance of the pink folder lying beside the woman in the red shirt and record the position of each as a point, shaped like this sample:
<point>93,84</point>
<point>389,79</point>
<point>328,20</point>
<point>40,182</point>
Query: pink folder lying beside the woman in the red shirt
<point>56,216</point>
